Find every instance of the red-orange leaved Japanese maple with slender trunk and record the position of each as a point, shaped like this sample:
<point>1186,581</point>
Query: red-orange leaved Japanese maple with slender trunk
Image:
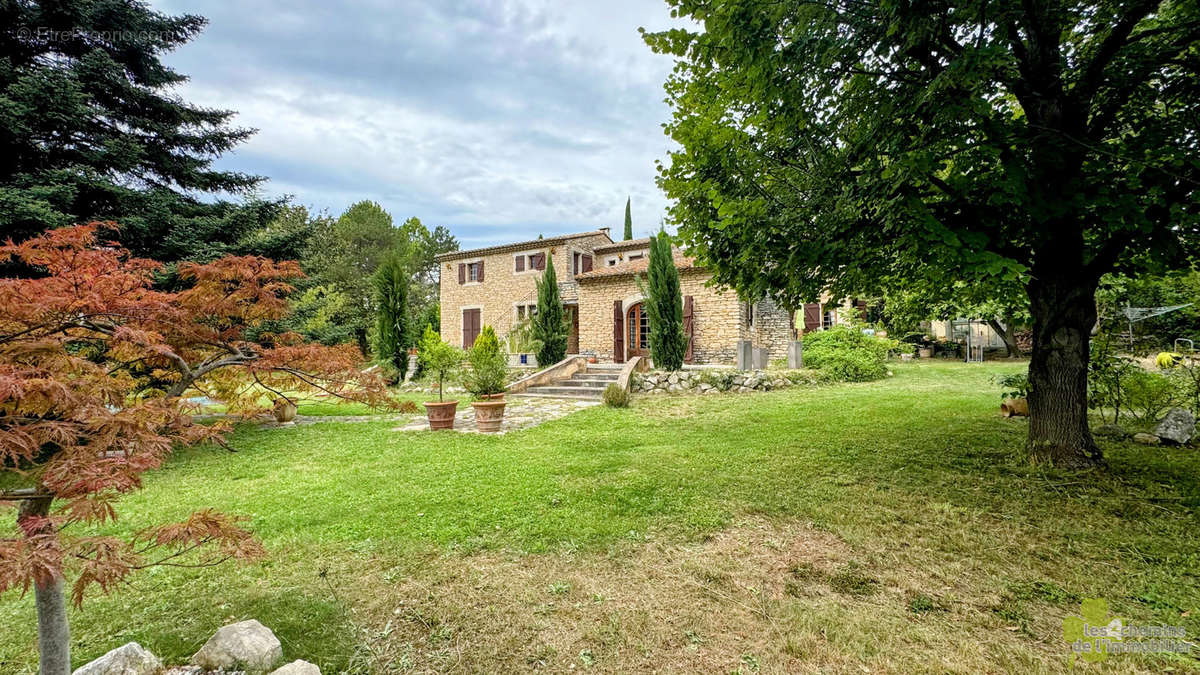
<point>94,363</point>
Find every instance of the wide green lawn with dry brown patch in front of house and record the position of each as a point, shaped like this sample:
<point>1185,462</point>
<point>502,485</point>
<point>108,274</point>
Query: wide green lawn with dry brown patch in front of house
<point>889,527</point>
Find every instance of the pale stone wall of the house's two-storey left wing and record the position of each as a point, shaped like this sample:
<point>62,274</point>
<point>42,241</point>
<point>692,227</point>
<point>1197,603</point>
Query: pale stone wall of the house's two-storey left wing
<point>503,289</point>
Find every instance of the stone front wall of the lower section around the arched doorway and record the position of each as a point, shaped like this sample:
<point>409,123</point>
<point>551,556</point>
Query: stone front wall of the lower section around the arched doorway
<point>718,315</point>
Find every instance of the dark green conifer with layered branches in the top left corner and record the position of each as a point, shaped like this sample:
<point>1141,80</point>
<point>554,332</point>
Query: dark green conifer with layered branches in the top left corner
<point>92,128</point>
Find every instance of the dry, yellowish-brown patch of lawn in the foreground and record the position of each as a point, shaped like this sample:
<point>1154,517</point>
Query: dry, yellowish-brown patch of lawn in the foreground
<point>758,598</point>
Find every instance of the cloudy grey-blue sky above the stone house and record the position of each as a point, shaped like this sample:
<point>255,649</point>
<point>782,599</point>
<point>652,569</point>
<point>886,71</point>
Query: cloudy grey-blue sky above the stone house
<point>501,120</point>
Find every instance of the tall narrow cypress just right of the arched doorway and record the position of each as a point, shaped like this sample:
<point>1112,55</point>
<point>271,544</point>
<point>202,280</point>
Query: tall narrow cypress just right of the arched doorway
<point>664,306</point>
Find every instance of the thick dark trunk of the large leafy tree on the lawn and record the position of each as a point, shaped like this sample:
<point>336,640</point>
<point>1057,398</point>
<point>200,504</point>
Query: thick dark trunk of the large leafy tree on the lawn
<point>1064,315</point>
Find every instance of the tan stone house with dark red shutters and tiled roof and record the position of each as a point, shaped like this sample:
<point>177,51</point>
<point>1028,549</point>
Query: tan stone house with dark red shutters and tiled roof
<point>598,283</point>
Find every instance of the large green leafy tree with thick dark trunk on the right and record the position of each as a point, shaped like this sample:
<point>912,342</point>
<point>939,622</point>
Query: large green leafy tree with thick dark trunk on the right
<point>831,146</point>
